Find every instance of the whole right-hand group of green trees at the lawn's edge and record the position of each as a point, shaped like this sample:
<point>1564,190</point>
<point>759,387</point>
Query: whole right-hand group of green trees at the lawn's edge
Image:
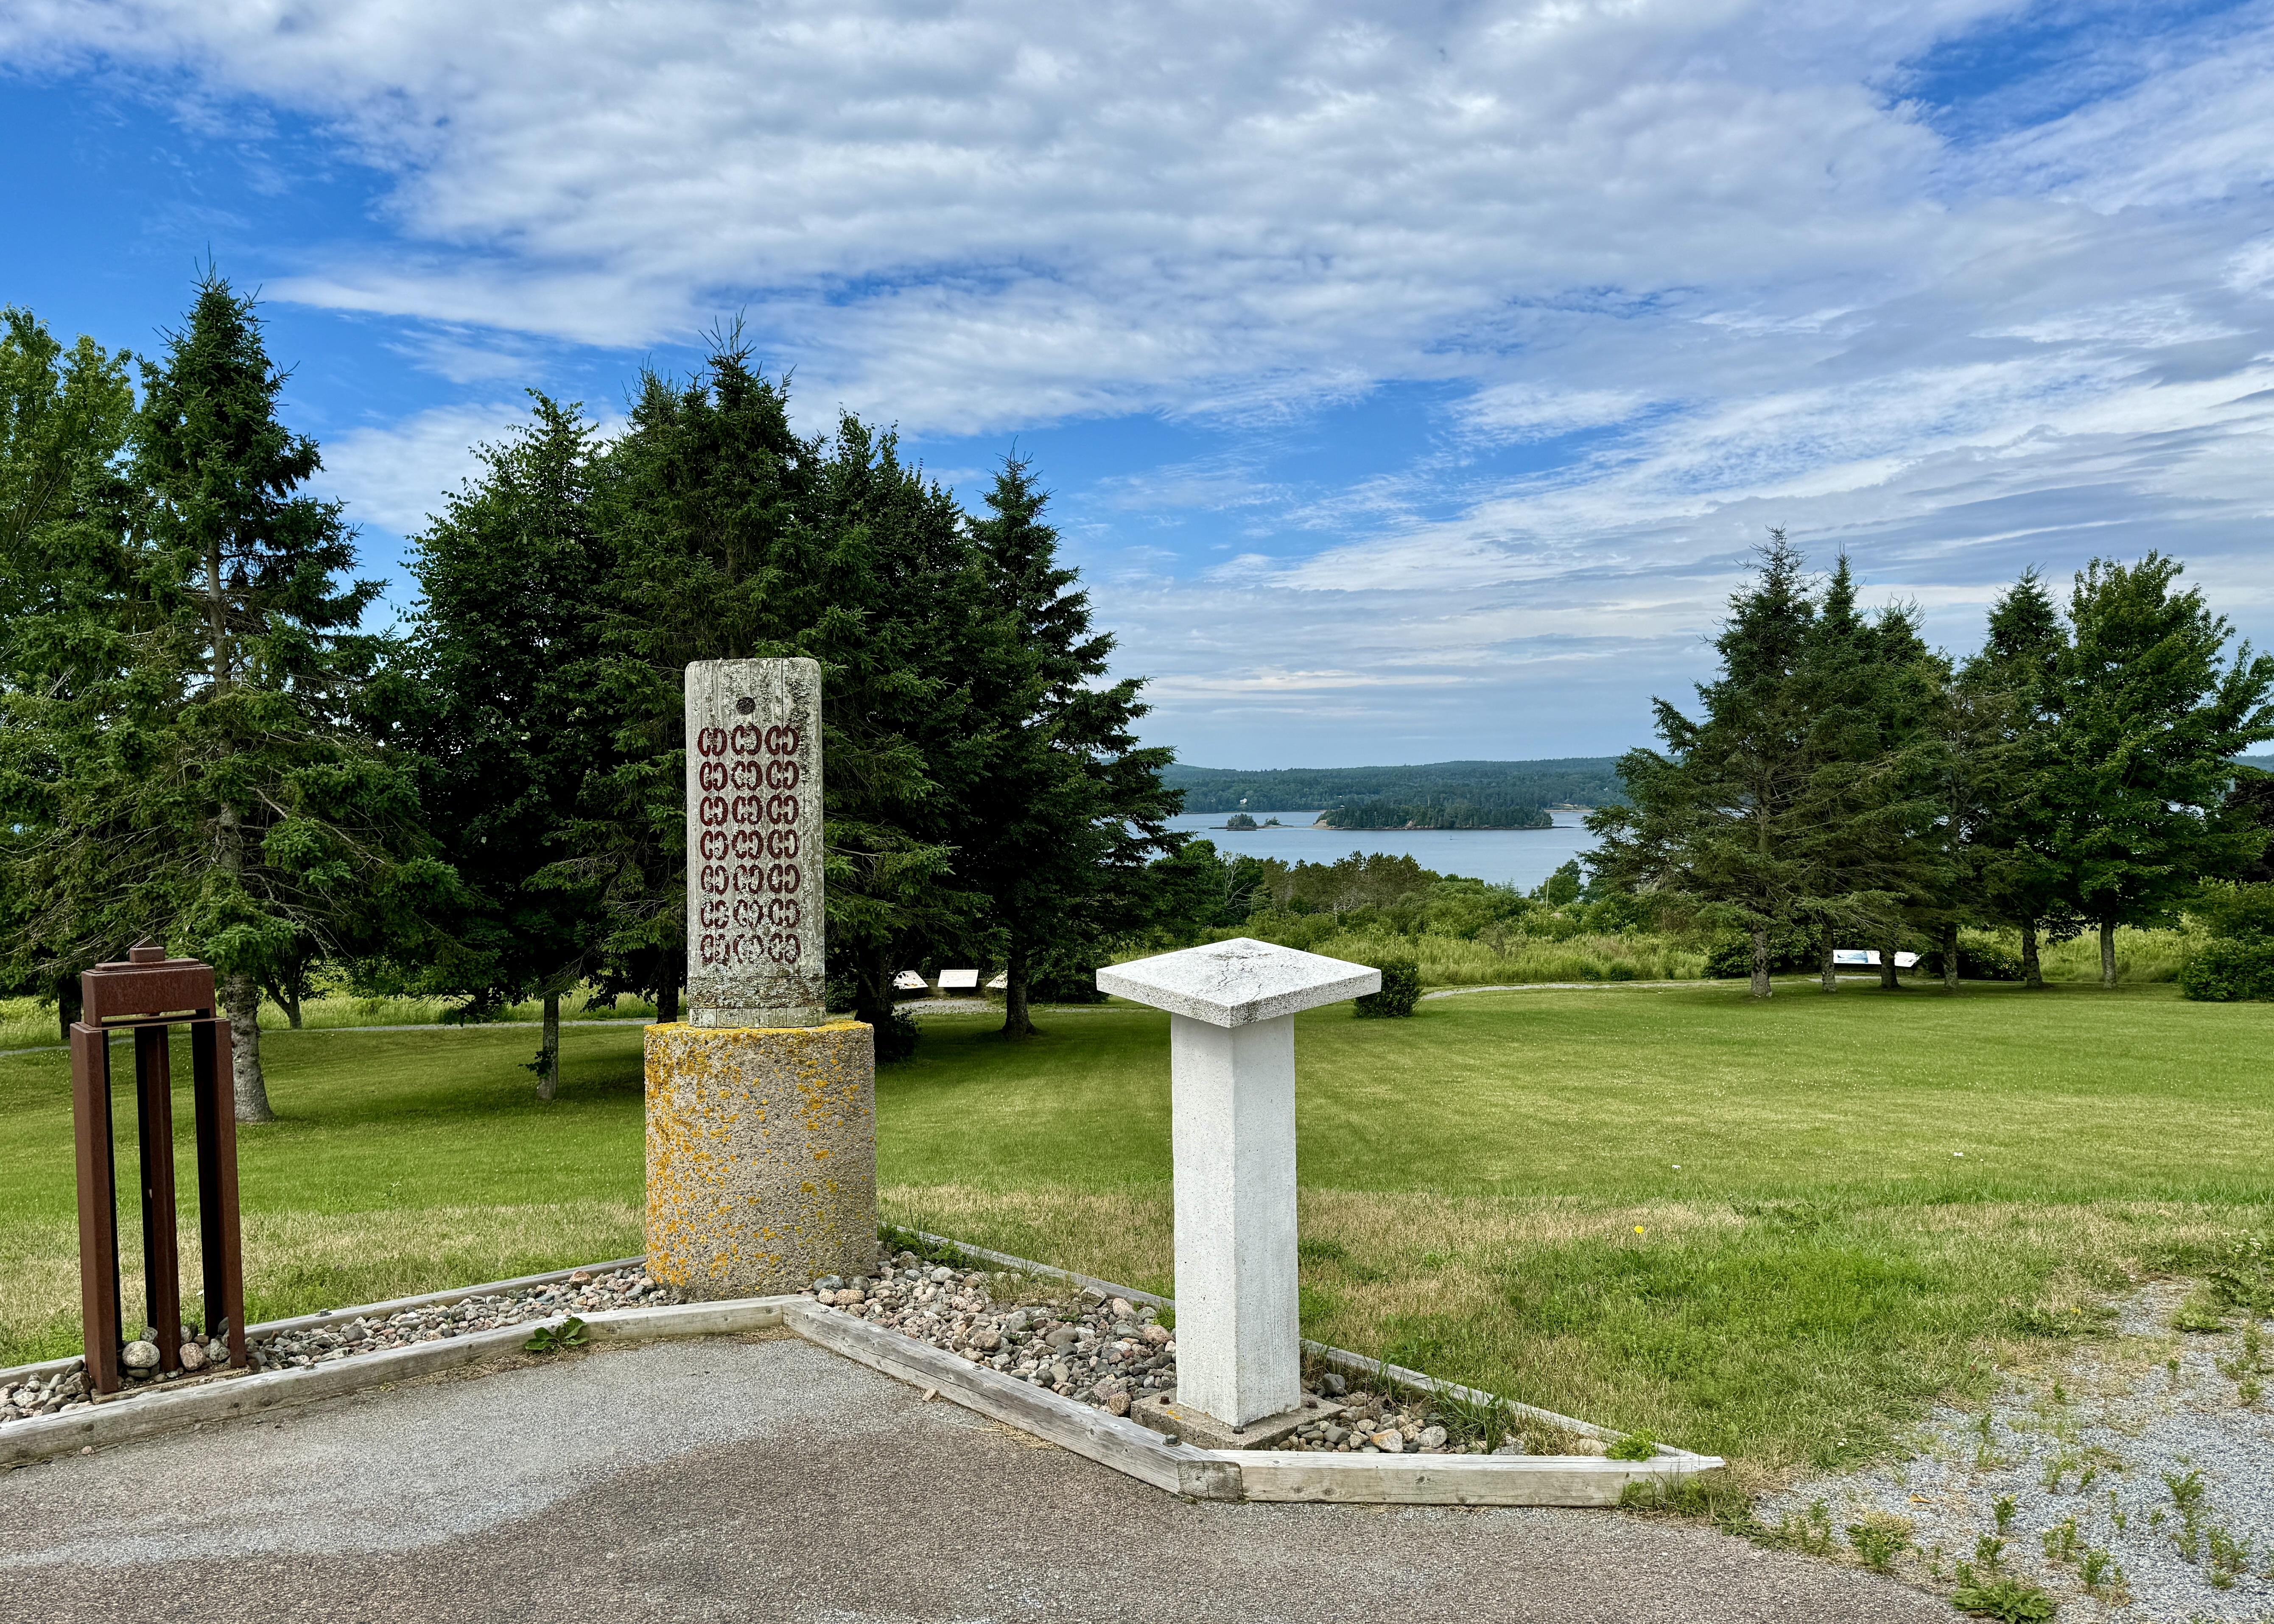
<point>1848,786</point>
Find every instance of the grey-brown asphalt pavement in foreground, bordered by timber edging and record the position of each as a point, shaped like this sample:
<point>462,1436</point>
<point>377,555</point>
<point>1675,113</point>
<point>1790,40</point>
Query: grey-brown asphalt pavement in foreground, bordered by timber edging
<point>763,1477</point>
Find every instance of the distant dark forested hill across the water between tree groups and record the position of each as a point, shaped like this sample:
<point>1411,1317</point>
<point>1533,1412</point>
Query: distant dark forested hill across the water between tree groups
<point>1563,781</point>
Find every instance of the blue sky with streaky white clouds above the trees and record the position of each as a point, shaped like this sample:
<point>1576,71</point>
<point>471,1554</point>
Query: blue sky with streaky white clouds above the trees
<point>1413,379</point>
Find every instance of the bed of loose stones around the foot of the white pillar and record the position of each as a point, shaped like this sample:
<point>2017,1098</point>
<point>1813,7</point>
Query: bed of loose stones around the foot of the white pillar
<point>1111,1352</point>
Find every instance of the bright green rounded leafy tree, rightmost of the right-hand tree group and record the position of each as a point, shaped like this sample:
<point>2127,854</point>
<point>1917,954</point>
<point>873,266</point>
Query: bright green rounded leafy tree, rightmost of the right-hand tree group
<point>2150,722</point>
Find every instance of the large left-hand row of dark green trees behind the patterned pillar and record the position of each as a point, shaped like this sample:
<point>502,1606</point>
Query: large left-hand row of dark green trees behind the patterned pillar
<point>204,745</point>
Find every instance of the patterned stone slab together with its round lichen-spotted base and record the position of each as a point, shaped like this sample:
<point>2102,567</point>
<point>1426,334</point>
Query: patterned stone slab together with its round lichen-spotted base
<point>761,1107</point>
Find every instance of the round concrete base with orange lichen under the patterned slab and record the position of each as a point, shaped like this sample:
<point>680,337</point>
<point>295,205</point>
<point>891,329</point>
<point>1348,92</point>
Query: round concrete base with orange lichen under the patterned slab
<point>761,1157</point>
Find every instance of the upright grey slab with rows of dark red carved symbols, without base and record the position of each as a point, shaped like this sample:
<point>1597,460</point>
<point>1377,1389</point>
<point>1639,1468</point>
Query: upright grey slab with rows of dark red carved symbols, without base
<point>754,843</point>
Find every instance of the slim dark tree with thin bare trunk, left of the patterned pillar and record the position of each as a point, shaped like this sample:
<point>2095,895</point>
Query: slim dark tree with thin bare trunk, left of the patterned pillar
<point>504,715</point>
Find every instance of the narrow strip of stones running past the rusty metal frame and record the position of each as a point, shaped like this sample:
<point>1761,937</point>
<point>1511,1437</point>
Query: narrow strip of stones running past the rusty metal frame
<point>345,1339</point>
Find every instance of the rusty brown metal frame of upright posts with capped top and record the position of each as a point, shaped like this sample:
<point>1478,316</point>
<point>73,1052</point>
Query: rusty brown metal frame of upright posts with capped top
<point>149,995</point>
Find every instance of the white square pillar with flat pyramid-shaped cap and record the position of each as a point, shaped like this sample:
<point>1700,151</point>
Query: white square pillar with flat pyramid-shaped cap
<point>1231,1122</point>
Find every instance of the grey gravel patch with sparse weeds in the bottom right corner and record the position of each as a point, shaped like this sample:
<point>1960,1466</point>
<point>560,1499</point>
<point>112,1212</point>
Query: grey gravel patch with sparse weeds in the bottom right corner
<point>2136,1480</point>
